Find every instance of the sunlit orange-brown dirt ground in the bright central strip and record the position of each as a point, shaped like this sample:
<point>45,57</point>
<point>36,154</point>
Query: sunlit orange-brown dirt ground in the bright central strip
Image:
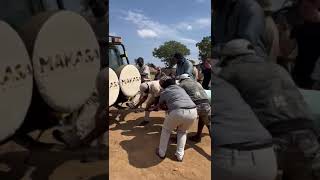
<point>132,151</point>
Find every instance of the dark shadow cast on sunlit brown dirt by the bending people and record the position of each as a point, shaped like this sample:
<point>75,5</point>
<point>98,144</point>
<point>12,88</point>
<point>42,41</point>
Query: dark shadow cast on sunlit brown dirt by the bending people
<point>142,147</point>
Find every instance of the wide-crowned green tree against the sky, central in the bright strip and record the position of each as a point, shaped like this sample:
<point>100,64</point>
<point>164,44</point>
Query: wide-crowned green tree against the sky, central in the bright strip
<point>167,50</point>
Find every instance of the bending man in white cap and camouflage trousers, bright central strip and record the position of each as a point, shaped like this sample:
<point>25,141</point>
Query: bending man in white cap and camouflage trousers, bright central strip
<point>201,99</point>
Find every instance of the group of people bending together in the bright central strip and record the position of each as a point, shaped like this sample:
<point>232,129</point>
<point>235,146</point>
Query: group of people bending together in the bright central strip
<point>183,98</point>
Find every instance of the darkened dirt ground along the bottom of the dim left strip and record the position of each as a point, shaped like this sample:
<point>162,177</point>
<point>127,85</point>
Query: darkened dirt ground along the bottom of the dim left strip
<point>51,161</point>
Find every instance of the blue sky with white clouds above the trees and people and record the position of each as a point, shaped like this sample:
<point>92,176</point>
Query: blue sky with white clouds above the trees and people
<point>146,24</point>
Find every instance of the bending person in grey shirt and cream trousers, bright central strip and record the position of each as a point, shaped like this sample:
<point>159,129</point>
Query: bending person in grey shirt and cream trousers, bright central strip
<point>182,113</point>
